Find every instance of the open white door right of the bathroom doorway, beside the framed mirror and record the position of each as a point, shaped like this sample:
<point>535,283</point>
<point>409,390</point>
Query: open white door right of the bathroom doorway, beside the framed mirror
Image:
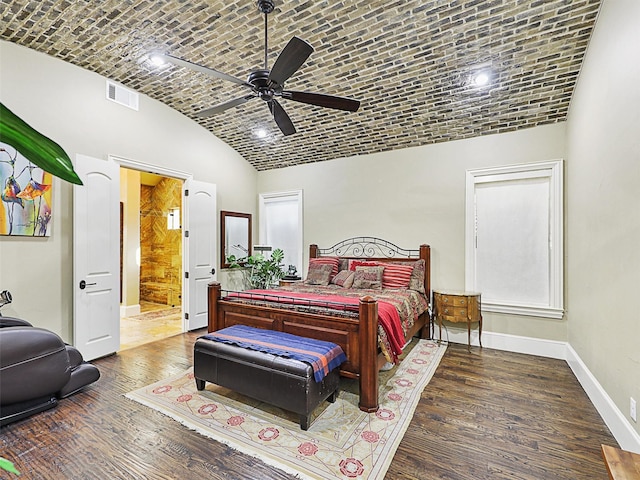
<point>201,245</point>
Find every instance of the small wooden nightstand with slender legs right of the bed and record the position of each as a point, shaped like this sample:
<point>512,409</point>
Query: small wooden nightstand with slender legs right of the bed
<point>458,307</point>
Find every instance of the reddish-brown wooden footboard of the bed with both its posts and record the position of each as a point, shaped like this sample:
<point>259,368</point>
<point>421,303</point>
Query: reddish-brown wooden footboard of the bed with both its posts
<point>356,336</point>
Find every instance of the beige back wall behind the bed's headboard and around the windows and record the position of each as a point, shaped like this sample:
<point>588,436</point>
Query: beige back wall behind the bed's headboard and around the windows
<point>415,196</point>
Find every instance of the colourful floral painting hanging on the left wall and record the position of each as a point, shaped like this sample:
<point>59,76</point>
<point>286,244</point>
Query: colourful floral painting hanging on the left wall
<point>25,209</point>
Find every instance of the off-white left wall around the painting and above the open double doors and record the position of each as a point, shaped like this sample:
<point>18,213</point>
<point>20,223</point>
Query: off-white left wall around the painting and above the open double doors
<point>68,104</point>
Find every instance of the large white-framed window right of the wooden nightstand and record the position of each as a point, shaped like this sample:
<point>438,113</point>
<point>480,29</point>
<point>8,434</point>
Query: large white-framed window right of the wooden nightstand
<point>514,246</point>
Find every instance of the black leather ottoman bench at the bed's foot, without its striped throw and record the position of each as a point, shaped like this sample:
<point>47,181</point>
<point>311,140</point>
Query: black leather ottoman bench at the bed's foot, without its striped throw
<point>283,382</point>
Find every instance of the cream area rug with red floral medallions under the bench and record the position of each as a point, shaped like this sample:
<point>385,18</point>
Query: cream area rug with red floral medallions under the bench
<point>342,441</point>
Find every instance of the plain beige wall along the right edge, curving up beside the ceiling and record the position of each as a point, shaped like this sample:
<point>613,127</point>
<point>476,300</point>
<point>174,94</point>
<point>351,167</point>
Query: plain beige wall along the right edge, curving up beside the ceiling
<point>603,205</point>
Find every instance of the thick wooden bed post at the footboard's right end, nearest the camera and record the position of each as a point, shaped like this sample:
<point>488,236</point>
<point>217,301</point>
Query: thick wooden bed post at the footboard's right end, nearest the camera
<point>368,334</point>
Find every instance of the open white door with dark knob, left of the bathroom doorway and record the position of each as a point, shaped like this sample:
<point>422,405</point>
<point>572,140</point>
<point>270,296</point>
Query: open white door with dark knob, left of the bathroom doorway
<point>96,254</point>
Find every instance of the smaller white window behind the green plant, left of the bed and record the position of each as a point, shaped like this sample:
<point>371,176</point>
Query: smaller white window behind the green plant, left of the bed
<point>281,224</point>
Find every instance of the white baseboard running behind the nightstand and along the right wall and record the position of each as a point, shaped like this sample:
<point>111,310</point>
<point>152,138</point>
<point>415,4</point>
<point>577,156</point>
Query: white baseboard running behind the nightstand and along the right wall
<point>620,427</point>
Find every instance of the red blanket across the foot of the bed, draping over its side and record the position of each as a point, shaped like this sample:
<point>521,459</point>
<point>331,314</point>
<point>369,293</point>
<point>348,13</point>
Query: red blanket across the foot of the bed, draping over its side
<point>388,316</point>
